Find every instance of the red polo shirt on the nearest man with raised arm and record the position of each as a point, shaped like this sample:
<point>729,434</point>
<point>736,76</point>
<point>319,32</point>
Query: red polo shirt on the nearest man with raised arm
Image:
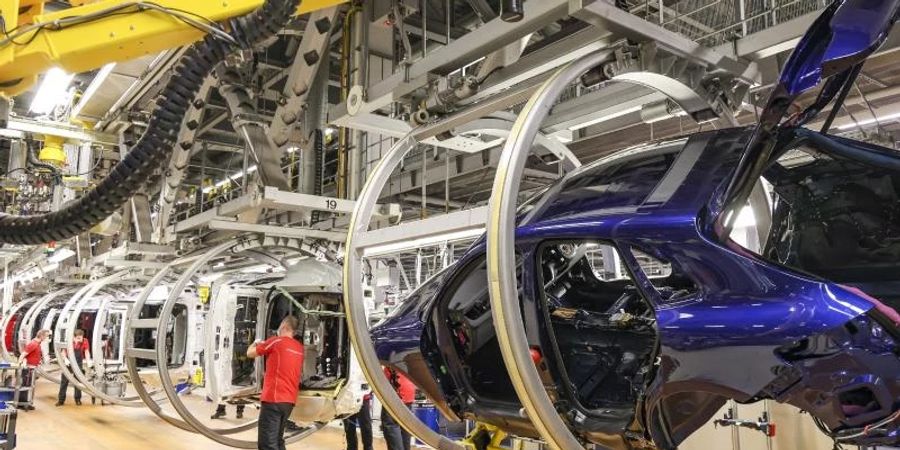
<point>284,364</point>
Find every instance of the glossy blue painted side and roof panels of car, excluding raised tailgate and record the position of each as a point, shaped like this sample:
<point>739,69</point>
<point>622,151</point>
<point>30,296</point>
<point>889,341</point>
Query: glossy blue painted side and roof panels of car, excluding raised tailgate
<point>731,338</point>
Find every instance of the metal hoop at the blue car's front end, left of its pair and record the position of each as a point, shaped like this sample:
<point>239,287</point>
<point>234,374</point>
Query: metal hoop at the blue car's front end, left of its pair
<point>354,305</point>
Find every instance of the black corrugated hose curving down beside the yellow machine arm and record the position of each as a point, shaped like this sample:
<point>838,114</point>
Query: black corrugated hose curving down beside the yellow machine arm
<point>153,148</point>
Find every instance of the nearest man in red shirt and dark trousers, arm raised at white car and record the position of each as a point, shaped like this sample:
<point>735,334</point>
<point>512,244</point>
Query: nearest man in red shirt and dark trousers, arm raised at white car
<point>284,361</point>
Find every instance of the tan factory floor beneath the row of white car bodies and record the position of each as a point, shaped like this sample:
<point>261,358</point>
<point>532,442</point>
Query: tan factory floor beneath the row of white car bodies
<point>95,427</point>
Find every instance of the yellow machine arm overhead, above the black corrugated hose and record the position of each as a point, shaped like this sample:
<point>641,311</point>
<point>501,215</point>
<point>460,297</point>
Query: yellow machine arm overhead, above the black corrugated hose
<point>89,36</point>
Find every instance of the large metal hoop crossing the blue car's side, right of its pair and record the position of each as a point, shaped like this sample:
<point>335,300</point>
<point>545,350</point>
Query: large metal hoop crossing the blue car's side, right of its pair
<point>500,239</point>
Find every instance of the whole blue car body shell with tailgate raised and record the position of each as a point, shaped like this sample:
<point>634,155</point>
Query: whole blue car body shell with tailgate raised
<point>643,358</point>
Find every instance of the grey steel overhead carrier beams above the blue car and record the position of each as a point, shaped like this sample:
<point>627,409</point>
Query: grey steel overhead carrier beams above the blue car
<point>717,82</point>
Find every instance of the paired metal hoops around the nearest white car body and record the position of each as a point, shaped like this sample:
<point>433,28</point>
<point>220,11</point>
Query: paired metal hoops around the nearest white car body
<point>188,420</point>
